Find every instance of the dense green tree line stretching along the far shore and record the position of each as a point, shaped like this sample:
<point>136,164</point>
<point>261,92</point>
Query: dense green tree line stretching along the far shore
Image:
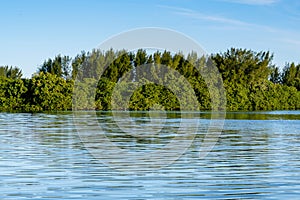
<point>105,80</point>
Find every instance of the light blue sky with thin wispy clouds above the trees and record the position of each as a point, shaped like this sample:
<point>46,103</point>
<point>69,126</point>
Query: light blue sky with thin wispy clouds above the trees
<point>34,30</point>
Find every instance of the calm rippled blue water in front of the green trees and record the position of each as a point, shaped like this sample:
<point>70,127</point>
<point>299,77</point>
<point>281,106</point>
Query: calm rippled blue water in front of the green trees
<point>257,156</point>
